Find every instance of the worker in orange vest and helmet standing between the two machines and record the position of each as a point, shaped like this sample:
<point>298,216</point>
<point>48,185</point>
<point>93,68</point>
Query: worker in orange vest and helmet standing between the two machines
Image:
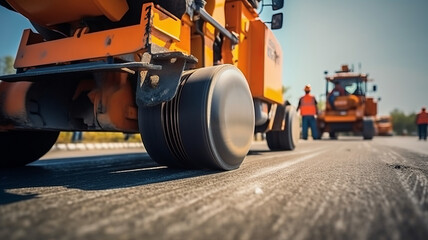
<point>308,110</point>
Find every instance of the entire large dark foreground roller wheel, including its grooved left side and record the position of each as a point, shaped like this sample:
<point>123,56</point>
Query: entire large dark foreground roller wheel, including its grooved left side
<point>208,124</point>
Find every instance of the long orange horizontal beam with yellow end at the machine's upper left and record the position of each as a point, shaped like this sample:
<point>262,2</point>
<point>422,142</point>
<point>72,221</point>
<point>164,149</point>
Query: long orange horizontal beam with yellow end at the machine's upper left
<point>35,51</point>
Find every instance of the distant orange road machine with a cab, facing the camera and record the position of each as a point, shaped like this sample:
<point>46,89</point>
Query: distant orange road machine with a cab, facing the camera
<point>348,109</point>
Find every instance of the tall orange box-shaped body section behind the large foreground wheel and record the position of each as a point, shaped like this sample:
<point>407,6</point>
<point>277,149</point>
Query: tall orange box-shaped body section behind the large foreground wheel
<point>259,54</point>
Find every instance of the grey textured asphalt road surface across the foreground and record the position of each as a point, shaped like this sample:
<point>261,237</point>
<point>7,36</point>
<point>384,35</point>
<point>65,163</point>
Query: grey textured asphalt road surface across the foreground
<point>342,189</point>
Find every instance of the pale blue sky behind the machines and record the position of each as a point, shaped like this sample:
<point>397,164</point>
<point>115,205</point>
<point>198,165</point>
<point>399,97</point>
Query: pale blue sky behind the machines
<point>387,38</point>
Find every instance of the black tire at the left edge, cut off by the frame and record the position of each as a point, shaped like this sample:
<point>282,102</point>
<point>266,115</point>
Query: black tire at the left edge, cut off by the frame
<point>19,148</point>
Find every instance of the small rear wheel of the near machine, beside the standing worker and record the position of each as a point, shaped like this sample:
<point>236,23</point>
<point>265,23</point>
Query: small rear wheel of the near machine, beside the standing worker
<point>288,138</point>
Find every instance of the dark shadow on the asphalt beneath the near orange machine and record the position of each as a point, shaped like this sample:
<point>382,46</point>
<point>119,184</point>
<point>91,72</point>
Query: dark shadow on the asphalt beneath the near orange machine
<point>89,173</point>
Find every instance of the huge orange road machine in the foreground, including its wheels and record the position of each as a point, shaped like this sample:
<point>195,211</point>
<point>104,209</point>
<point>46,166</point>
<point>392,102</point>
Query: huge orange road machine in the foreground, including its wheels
<point>195,78</point>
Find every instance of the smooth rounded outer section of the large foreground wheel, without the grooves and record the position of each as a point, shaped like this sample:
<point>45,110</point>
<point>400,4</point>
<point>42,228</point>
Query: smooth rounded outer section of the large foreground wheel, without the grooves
<point>218,114</point>
